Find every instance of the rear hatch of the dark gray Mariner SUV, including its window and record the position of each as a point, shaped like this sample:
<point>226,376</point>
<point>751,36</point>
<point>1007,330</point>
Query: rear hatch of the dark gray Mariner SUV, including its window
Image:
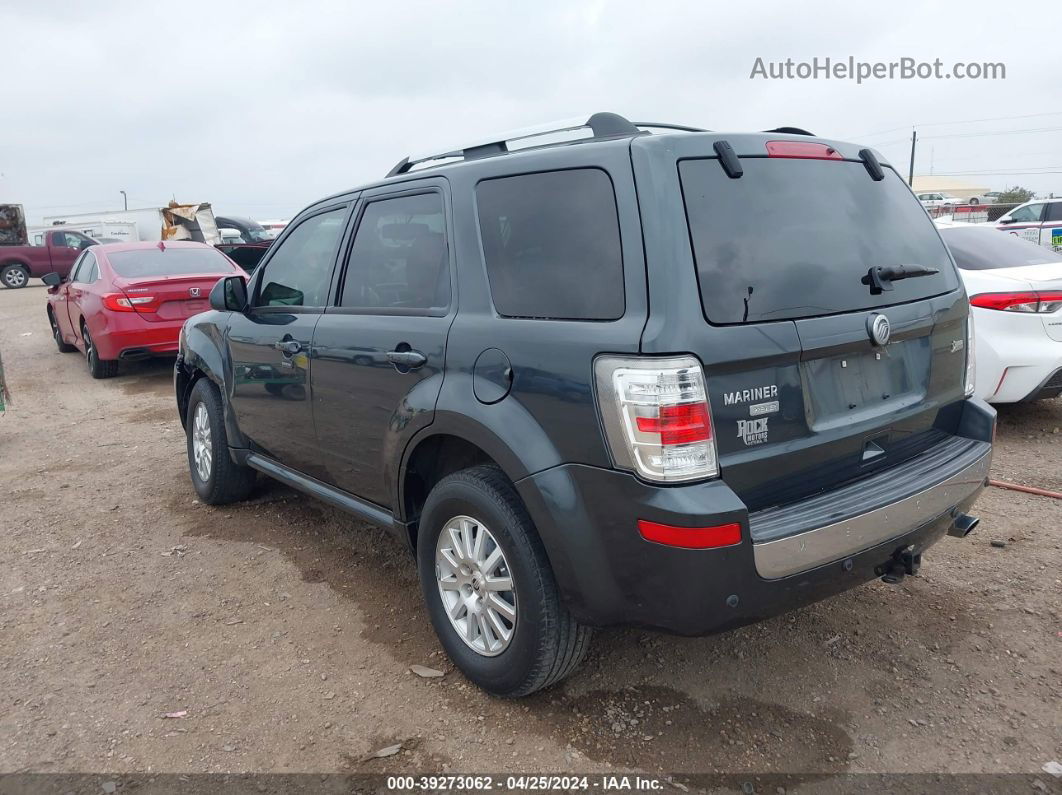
<point>803,397</point>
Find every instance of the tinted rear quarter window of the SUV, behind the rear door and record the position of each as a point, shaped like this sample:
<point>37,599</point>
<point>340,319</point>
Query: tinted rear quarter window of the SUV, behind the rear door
<point>552,246</point>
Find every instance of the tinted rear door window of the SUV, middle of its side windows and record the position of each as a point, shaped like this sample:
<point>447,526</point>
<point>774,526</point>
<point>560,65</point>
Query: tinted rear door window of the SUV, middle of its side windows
<point>400,258</point>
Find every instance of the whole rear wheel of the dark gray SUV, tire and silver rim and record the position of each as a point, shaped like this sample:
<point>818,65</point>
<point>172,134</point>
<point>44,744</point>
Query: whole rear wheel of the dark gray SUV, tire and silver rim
<point>490,590</point>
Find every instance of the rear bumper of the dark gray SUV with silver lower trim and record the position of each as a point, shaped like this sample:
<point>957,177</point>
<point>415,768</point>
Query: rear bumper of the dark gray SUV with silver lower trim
<point>609,575</point>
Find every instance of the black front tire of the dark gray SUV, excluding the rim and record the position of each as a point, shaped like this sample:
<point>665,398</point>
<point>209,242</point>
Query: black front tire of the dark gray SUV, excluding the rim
<point>227,480</point>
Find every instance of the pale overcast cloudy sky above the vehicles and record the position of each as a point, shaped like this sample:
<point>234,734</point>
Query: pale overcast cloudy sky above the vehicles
<point>262,108</point>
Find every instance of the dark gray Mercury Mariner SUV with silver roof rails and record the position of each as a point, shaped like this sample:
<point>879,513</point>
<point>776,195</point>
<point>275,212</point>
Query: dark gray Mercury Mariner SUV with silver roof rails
<point>653,376</point>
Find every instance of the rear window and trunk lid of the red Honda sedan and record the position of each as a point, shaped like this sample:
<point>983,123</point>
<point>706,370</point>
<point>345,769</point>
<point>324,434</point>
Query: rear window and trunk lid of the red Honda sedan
<point>169,284</point>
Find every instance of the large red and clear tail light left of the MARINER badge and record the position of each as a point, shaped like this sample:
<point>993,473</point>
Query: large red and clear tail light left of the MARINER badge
<point>657,418</point>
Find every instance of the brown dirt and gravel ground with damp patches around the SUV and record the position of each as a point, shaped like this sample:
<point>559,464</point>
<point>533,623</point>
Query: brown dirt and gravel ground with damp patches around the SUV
<point>285,630</point>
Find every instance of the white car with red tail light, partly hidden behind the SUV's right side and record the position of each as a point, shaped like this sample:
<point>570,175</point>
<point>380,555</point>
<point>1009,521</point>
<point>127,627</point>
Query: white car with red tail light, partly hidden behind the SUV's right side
<point>1016,304</point>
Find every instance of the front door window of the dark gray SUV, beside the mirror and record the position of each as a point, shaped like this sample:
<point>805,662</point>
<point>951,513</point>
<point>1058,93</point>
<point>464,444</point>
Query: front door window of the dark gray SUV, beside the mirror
<point>300,271</point>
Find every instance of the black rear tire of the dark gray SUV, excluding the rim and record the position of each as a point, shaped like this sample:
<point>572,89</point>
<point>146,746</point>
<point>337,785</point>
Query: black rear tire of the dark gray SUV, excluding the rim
<point>547,643</point>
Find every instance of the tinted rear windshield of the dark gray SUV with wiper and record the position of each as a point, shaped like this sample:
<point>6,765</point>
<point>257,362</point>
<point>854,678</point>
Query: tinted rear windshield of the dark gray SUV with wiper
<point>793,238</point>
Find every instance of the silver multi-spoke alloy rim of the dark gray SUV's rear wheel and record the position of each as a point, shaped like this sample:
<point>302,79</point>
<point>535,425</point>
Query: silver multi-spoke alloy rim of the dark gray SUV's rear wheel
<point>476,586</point>
